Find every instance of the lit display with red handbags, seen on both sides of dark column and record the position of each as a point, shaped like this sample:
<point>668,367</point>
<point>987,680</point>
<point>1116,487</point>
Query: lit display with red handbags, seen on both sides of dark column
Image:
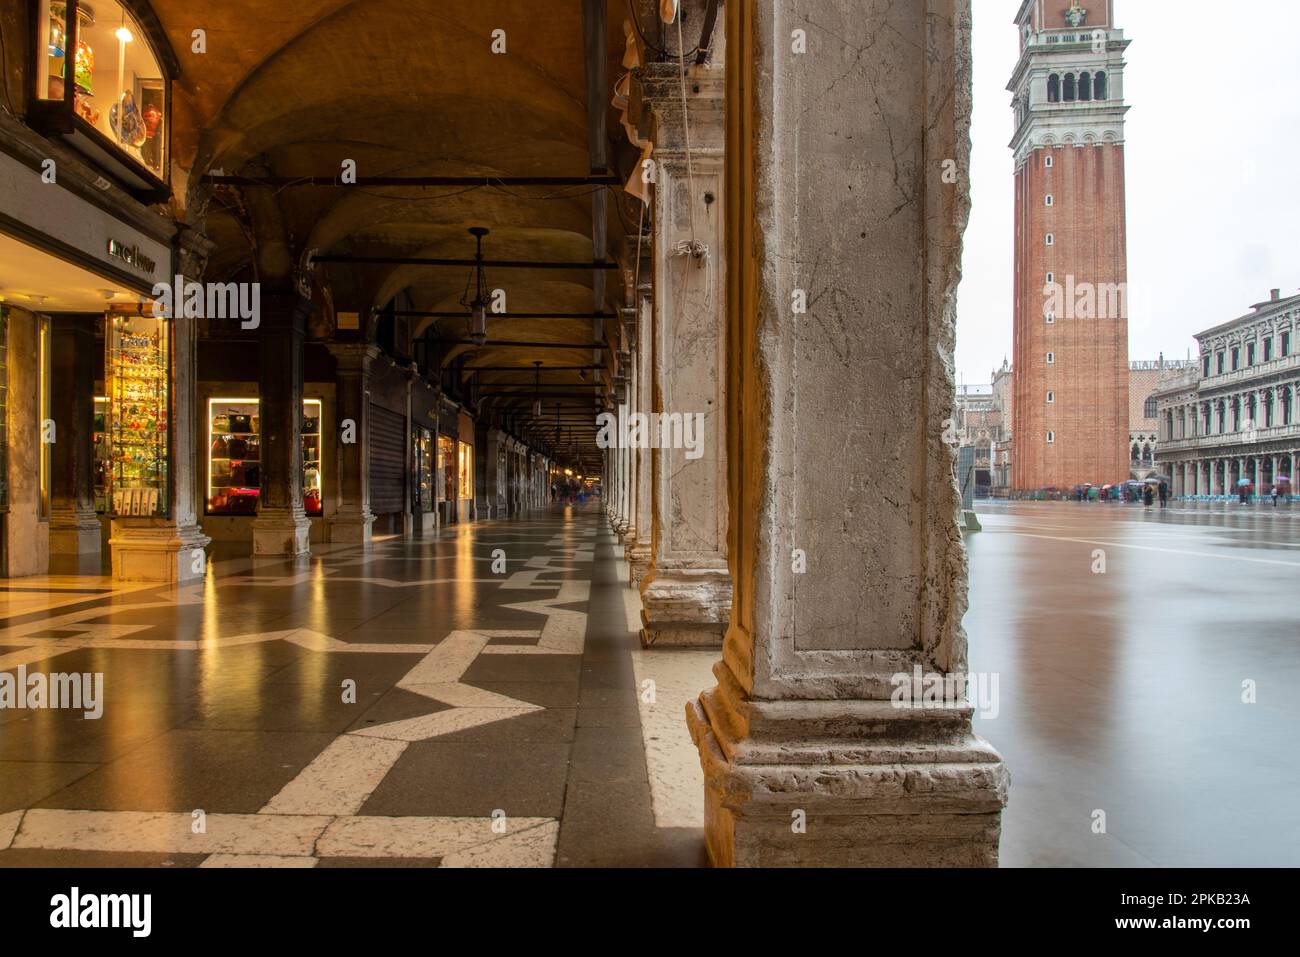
<point>235,457</point>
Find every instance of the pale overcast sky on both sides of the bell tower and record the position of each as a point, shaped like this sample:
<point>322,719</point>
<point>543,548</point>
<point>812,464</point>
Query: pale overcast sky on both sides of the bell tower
<point>1214,171</point>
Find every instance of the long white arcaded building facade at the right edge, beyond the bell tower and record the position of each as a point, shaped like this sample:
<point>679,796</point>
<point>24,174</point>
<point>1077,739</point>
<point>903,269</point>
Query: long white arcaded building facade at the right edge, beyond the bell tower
<point>1236,414</point>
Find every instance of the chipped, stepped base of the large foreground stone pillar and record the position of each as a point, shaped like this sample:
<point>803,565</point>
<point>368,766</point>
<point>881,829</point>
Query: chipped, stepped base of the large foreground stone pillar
<point>844,783</point>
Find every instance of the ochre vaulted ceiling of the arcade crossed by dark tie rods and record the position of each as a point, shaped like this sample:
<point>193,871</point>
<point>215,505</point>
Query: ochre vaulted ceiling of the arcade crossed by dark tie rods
<point>406,89</point>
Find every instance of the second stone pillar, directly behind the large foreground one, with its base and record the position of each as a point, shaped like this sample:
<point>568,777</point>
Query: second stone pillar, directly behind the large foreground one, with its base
<point>687,590</point>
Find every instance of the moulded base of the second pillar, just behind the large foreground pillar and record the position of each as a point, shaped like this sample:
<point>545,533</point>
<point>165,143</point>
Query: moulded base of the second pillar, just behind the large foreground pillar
<point>686,607</point>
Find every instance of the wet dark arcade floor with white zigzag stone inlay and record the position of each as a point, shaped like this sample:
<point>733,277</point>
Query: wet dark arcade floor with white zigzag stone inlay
<point>406,707</point>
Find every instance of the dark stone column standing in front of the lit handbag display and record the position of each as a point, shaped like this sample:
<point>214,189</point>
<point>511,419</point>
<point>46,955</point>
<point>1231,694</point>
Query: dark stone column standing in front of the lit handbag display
<point>281,527</point>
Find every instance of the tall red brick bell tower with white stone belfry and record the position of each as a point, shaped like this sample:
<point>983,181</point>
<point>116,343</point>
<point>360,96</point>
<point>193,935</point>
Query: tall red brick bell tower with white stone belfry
<point>1071,374</point>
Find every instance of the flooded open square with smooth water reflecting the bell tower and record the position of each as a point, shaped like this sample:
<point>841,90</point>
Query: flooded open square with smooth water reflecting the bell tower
<point>1123,691</point>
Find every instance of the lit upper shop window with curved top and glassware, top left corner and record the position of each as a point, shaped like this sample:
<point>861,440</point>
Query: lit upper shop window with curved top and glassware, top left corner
<point>118,86</point>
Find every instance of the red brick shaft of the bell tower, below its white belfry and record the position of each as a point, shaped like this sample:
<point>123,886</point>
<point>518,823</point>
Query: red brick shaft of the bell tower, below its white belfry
<point>1090,376</point>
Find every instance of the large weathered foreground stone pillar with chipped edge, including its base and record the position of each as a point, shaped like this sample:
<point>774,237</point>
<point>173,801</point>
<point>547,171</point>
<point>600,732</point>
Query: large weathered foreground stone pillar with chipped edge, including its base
<point>848,564</point>
